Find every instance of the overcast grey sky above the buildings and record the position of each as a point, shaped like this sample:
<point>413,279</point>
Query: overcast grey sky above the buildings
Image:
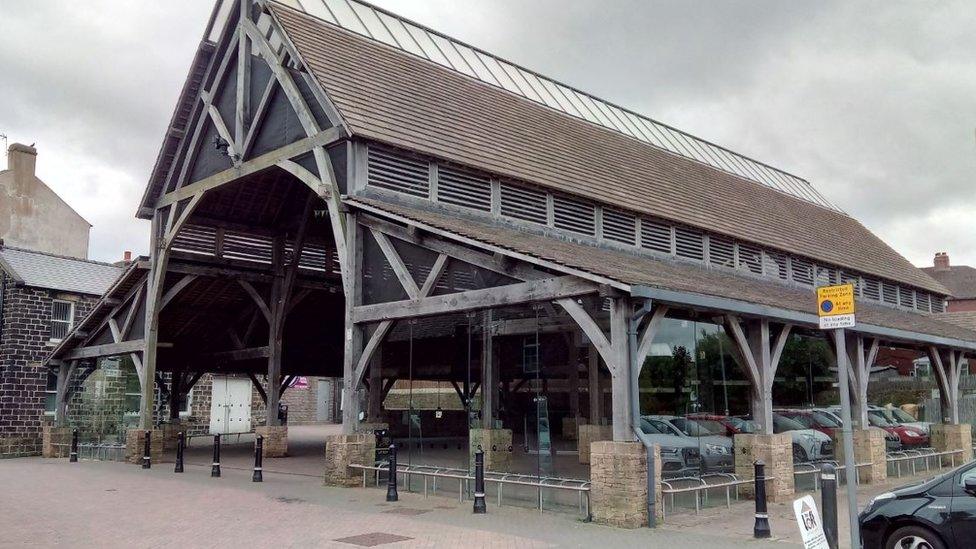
<point>873,102</point>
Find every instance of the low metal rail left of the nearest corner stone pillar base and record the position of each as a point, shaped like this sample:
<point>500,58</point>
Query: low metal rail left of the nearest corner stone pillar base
<point>431,475</point>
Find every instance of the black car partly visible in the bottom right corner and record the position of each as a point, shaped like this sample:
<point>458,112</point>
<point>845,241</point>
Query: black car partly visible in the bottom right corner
<point>939,513</point>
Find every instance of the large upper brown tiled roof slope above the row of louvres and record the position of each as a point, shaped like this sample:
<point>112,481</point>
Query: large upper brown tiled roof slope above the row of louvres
<point>388,95</point>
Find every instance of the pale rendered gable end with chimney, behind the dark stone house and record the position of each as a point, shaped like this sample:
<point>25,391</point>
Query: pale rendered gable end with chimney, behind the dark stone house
<point>34,217</point>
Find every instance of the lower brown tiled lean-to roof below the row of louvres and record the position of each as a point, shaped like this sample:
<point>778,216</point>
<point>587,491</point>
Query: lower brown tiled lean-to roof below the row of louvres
<point>644,270</point>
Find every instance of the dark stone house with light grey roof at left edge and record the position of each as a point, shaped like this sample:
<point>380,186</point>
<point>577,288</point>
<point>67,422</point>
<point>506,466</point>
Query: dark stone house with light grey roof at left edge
<point>42,297</point>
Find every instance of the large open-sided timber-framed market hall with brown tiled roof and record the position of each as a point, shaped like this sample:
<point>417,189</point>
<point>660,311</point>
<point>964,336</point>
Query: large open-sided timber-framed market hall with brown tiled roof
<point>342,192</point>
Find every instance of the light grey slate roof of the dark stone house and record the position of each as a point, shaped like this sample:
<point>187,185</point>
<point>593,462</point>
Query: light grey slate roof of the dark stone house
<point>55,272</point>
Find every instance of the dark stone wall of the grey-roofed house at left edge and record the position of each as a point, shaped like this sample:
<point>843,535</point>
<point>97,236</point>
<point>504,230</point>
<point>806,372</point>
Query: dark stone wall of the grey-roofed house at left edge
<point>25,340</point>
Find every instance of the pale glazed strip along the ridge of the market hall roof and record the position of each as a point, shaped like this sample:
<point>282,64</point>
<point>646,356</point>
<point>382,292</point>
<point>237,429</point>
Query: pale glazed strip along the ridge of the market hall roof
<point>707,153</point>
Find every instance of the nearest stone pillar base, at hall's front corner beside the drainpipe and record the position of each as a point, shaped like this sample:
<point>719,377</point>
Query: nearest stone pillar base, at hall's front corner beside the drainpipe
<point>618,489</point>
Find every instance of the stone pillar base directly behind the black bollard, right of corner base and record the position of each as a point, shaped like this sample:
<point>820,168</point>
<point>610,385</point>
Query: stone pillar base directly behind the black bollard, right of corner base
<point>776,452</point>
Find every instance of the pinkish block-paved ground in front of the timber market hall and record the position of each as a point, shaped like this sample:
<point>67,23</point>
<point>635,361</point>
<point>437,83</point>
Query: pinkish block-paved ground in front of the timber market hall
<point>45,503</point>
